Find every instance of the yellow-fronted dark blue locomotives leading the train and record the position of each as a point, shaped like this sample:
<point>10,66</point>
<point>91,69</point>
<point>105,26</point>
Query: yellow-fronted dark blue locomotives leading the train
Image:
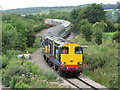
<point>64,56</point>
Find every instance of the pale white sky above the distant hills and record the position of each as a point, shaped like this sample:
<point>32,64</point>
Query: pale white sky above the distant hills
<point>13,4</point>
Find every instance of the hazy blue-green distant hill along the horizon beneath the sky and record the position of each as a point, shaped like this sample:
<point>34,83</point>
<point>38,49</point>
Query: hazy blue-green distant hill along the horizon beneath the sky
<point>46,10</point>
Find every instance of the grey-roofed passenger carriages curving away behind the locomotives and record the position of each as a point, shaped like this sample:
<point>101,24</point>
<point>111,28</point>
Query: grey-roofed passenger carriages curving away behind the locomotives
<point>61,28</point>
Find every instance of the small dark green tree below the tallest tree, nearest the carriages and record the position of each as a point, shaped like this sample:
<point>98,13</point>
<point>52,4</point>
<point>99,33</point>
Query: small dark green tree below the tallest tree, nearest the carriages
<point>87,31</point>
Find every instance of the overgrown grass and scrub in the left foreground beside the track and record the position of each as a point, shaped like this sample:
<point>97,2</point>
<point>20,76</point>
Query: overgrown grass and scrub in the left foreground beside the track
<point>21,73</point>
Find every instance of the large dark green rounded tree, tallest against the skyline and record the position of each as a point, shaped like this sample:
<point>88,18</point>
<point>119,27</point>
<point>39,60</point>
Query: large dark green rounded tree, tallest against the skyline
<point>94,13</point>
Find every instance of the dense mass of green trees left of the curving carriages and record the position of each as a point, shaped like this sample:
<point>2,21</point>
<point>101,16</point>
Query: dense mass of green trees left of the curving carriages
<point>18,32</point>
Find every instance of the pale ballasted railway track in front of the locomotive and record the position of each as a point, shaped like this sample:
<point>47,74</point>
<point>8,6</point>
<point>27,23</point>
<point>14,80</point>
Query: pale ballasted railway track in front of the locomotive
<point>83,83</point>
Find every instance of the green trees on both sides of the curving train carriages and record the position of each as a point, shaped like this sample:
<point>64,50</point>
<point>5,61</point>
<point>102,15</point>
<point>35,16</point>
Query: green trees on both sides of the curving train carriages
<point>19,31</point>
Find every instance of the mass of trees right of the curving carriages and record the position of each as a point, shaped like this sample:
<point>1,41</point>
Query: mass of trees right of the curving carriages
<point>91,21</point>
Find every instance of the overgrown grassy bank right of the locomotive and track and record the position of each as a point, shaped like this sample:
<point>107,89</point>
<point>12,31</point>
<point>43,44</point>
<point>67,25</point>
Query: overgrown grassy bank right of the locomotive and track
<point>101,62</point>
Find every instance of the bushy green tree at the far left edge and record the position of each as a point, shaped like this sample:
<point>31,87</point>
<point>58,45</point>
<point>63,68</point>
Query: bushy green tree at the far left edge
<point>10,36</point>
